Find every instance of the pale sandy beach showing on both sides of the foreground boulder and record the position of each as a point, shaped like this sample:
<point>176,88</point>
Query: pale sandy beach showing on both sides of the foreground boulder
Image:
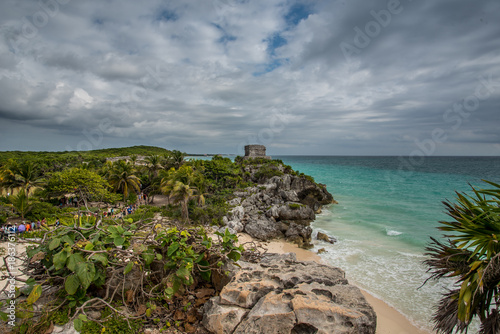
<point>389,320</point>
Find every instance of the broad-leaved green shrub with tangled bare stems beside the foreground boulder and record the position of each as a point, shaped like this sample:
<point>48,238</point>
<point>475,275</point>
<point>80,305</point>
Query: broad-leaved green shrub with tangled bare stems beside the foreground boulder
<point>154,271</point>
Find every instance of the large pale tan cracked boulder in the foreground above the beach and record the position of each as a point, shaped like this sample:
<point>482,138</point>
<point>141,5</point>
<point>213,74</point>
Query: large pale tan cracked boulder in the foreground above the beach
<point>283,295</point>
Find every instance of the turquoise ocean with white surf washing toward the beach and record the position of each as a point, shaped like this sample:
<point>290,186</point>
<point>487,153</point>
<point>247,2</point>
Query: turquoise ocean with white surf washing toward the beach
<point>388,208</point>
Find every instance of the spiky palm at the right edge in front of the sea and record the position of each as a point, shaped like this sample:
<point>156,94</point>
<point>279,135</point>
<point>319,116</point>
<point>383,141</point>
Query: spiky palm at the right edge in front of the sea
<point>471,255</point>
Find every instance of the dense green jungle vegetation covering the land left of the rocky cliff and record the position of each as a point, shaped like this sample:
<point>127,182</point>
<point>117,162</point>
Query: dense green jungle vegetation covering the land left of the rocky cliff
<point>111,272</point>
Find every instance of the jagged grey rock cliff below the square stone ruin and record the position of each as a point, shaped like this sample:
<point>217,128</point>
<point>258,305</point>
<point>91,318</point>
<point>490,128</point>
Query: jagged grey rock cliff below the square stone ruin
<point>279,207</point>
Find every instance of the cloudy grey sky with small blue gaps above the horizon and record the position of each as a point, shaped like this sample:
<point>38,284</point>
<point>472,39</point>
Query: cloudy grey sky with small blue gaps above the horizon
<point>310,77</point>
